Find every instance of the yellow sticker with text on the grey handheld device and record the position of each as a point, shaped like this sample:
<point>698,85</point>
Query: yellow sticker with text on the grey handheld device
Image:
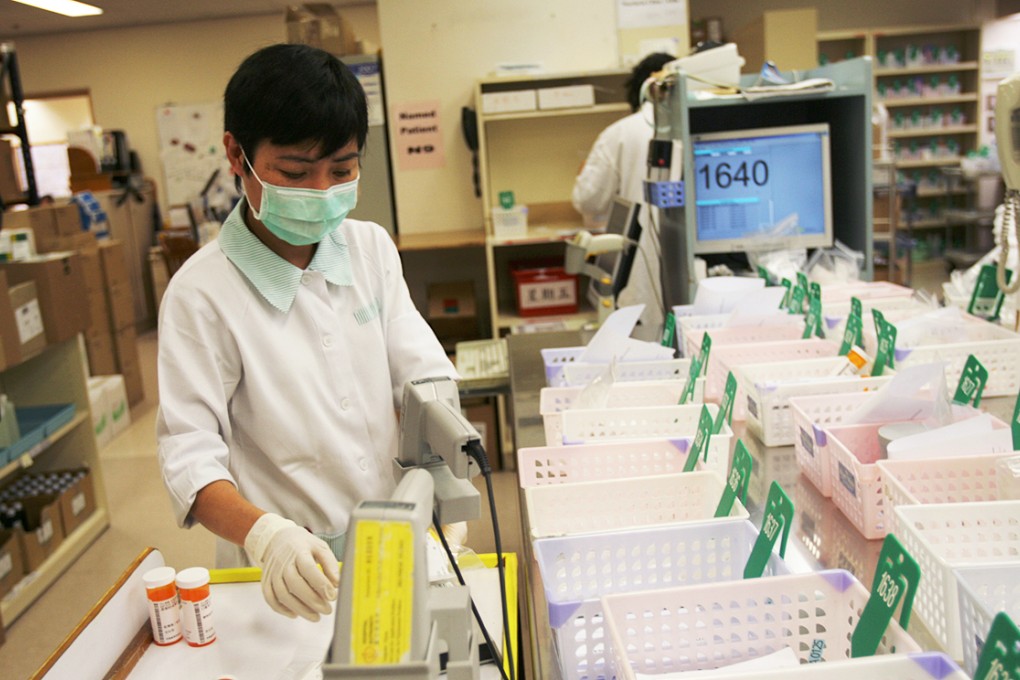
<point>384,591</point>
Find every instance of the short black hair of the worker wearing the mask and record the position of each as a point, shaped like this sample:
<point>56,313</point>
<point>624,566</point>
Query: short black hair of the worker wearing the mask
<point>290,94</point>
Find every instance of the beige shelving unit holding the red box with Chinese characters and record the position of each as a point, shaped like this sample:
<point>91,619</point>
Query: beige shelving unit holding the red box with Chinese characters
<point>537,154</point>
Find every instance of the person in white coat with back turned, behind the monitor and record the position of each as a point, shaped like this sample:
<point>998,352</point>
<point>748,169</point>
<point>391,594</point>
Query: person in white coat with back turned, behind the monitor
<point>618,167</point>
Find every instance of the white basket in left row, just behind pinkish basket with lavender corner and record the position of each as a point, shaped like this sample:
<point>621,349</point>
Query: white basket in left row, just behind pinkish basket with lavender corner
<point>650,423</point>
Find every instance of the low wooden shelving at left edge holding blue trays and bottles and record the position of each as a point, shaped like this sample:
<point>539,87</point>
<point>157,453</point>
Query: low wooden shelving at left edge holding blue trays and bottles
<point>56,377</point>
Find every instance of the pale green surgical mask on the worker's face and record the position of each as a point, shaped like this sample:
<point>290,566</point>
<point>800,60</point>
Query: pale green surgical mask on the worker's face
<point>304,217</point>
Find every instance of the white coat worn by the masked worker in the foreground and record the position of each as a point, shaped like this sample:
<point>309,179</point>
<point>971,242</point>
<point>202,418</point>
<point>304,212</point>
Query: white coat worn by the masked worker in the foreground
<point>297,409</point>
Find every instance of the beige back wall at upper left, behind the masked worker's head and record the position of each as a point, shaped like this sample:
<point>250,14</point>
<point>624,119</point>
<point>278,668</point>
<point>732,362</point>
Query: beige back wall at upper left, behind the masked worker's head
<point>133,72</point>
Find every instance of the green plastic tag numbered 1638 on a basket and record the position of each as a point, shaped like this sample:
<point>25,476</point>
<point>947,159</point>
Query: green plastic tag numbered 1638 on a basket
<point>897,577</point>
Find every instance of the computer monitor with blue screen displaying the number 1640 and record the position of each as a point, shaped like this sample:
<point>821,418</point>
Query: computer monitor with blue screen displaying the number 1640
<point>768,188</point>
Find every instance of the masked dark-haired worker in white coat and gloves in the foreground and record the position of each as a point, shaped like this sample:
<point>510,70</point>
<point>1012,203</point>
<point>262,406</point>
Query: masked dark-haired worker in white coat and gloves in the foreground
<point>285,345</point>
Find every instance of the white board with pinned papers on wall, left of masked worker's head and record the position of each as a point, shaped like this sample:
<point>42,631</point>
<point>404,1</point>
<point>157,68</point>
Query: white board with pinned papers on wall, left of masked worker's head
<point>191,149</point>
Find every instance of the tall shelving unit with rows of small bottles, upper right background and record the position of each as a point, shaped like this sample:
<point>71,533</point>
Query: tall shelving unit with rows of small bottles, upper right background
<point>929,79</point>
